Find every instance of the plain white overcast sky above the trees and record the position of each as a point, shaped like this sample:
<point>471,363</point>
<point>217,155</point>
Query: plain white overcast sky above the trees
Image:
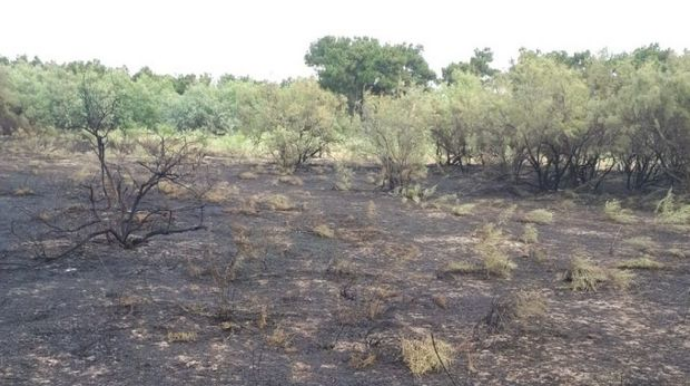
<point>268,39</point>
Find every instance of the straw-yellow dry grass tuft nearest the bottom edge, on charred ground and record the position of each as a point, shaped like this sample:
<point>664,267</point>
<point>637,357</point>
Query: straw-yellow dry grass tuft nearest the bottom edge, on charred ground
<point>422,357</point>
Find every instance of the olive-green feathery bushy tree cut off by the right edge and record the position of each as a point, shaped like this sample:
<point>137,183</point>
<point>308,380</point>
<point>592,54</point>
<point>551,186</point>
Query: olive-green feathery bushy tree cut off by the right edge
<point>653,106</point>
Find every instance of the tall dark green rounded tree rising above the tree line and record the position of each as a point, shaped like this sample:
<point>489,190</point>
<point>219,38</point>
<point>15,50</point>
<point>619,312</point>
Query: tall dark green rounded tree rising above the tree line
<point>355,66</point>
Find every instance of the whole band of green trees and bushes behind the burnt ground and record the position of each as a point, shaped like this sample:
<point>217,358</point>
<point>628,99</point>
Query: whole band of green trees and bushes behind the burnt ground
<point>553,119</point>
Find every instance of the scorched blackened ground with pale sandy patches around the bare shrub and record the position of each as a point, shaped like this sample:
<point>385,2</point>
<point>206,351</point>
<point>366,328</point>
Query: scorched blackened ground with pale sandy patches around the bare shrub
<point>299,306</point>
